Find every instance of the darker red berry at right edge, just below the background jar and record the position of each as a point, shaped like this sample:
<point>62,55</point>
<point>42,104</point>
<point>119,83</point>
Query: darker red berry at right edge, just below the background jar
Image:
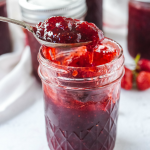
<point>143,65</point>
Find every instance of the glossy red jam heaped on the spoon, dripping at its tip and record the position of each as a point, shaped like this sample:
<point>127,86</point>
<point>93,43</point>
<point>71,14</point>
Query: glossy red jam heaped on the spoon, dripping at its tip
<point>67,30</point>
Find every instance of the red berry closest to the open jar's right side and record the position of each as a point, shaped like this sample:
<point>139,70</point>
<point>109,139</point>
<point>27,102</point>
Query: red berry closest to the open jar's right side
<point>127,79</point>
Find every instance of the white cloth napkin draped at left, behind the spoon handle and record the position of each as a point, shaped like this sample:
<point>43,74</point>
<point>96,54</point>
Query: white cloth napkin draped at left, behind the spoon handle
<point>18,87</point>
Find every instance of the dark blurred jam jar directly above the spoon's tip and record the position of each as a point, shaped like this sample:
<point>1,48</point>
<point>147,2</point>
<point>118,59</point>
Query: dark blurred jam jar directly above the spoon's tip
<point>94,13</point>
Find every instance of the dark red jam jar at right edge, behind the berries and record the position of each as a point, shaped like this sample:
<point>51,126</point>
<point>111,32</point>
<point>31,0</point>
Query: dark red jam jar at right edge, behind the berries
<point>139,28</point>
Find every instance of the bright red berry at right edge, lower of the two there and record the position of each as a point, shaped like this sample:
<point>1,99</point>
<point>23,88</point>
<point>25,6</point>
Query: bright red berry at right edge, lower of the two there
<point>143,80</point>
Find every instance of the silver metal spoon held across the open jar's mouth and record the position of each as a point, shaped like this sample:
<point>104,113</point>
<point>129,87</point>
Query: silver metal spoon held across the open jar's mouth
<point>42,42</point>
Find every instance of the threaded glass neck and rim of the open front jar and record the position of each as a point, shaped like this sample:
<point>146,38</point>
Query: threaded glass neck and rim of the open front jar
<point>91,77</point>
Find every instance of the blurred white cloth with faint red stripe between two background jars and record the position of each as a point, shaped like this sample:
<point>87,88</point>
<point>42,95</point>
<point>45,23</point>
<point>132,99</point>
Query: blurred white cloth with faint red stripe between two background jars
<point>115,17</point>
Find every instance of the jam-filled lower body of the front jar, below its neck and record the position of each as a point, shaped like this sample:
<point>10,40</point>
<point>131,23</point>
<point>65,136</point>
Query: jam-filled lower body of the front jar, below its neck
<point>81,120</point>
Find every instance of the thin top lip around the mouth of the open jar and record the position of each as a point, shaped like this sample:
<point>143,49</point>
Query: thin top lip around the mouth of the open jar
<point>47,62</point>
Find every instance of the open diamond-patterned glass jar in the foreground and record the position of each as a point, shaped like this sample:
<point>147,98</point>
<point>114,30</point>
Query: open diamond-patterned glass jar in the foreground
<point>81,113</point>
